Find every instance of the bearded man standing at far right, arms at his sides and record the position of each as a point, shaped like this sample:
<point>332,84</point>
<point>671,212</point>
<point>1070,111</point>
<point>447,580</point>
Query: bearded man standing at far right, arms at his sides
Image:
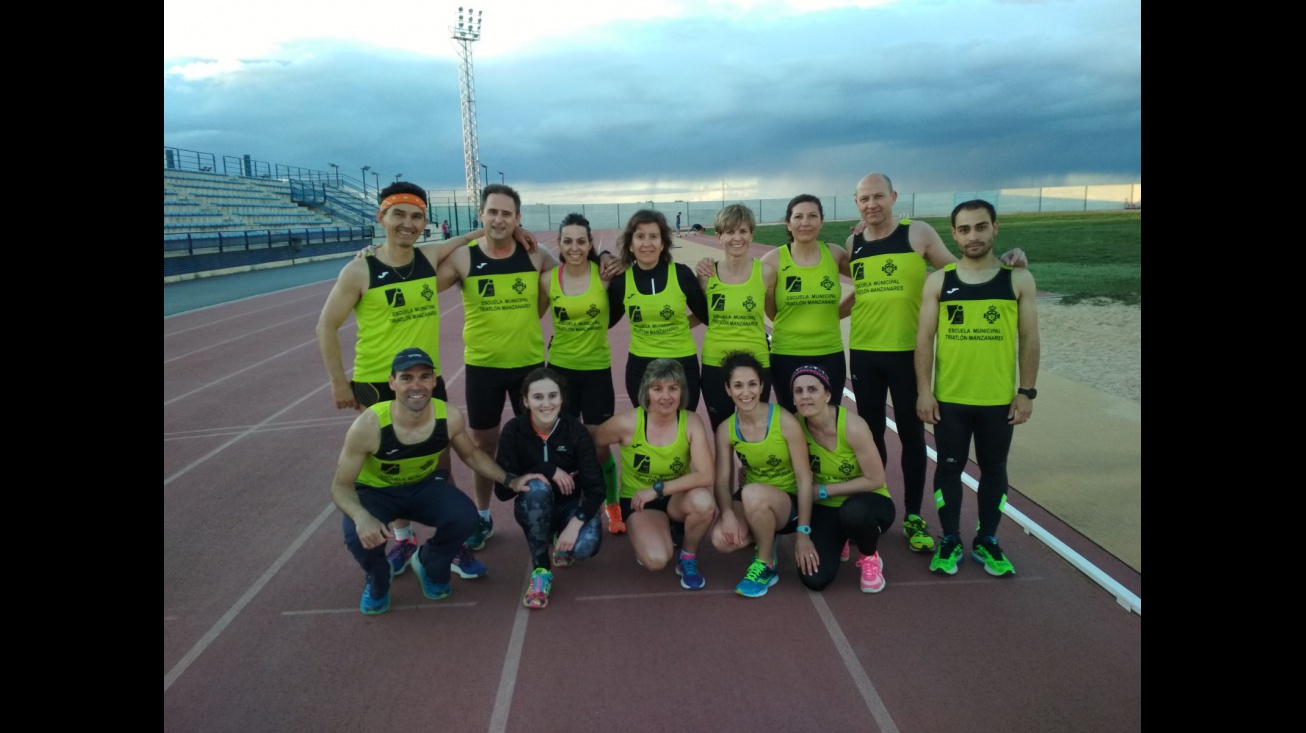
<point>976,365</point>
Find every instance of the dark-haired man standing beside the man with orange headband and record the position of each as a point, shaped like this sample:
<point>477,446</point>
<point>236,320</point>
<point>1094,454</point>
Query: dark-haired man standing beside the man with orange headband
<point>501,326</point>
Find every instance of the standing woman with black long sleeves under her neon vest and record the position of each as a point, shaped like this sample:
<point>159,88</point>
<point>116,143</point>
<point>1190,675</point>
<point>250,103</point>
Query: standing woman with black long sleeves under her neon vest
<point>654,296</point>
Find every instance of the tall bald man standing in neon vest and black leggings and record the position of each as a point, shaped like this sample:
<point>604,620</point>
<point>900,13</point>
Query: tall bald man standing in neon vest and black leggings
<point>889,261</point>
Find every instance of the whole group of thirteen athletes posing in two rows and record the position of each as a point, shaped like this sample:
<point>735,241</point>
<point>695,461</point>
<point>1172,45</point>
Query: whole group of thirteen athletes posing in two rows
<point>957,348</point>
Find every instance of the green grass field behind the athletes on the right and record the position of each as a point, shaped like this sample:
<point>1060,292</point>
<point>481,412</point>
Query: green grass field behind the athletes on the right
<point>1081,255</point>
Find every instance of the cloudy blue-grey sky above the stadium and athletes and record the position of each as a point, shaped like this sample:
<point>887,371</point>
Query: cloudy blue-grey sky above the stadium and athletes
<point>584,101</point>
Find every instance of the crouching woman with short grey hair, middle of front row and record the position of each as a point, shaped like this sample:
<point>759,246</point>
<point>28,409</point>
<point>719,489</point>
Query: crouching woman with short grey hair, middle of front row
<point>667,472</point>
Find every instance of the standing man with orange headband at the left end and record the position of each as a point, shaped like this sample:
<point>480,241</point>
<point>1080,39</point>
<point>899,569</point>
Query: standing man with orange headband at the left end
<point>392,296</point>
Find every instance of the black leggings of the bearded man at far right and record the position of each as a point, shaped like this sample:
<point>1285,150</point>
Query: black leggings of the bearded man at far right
<point>992,432</point>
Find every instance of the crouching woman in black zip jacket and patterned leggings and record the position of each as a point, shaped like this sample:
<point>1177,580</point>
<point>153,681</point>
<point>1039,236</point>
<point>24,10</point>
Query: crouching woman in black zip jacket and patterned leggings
<point>544,440</point>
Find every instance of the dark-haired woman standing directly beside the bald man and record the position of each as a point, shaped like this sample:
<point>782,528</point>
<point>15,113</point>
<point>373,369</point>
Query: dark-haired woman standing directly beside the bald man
<point>804,293</point>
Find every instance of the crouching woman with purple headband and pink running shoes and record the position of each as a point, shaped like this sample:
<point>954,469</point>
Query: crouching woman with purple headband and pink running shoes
<point>852,502</point>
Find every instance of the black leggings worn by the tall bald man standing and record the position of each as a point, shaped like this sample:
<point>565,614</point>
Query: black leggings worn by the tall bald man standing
<point>876,377</point>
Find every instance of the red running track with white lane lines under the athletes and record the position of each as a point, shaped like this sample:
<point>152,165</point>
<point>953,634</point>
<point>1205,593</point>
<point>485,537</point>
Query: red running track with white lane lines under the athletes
<point>262,629</point>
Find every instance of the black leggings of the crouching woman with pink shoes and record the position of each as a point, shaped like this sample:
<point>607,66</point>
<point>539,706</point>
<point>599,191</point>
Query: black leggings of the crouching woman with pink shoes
<point>861,519</point>
